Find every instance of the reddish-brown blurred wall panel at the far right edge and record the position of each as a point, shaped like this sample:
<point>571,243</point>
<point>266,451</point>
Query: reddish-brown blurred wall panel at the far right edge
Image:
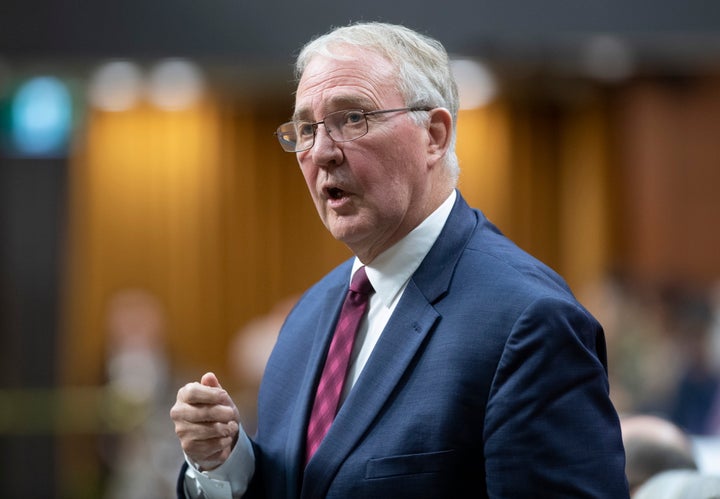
<point>668,133</point>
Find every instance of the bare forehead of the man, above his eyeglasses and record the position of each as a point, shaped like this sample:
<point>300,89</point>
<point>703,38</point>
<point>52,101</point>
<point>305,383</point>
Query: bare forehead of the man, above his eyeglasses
<point>358,78</point>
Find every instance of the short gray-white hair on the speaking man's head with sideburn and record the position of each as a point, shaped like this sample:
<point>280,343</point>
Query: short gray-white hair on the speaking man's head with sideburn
<point>422,63</point>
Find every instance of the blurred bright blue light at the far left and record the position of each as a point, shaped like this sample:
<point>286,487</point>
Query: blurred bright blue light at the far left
<point>41,117</point>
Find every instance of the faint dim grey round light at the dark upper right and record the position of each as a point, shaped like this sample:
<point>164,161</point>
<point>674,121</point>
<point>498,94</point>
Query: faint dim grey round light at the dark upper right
<point>607,58</point>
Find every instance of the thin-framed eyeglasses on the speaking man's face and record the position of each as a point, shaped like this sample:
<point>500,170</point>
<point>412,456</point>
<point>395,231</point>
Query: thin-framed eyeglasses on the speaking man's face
<point>342,126</point>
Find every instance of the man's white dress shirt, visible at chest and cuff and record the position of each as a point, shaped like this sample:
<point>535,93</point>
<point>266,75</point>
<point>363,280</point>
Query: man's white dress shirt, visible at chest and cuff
<point>389,274</point>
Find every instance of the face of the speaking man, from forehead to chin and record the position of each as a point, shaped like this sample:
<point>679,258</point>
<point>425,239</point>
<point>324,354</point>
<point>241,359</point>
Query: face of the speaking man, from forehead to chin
<point>372,191</point>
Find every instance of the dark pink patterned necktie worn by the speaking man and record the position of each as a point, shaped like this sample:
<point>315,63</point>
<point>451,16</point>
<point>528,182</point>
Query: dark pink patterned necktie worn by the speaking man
<point>327,397</point>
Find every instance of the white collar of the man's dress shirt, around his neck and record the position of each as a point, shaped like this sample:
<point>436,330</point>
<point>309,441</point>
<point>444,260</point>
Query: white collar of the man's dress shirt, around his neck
<point>392,269</point>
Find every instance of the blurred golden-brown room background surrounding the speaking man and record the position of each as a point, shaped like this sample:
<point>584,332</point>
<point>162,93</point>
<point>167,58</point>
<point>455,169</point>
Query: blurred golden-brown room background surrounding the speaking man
<point>151,228</point>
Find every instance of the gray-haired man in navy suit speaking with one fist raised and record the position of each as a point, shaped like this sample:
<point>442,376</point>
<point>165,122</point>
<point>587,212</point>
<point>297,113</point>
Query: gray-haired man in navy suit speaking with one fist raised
<point>475,372</point>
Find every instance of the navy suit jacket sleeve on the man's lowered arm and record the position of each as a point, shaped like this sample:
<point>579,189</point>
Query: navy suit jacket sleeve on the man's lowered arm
<point>548,411</point>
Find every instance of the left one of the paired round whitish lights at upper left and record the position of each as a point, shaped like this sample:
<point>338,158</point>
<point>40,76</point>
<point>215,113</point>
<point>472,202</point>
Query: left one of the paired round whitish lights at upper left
<point>116,86</point>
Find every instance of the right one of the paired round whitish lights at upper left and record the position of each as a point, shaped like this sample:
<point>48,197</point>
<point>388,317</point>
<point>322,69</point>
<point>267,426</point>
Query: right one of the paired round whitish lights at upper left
<point>175,84</point>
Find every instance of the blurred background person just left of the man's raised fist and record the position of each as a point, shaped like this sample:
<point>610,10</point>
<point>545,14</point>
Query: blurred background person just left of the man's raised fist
<point>141,453</point>
